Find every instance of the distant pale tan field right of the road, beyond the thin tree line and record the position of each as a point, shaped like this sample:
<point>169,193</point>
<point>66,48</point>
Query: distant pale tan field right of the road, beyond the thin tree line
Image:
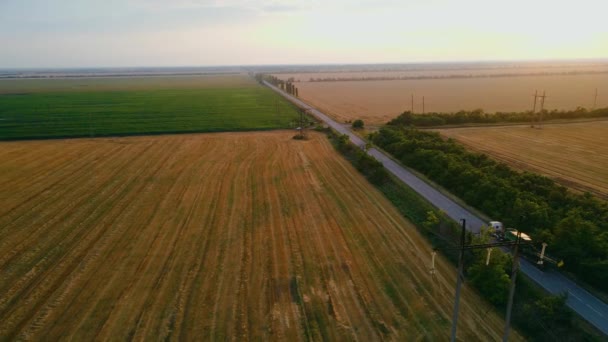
<point>379,101</point>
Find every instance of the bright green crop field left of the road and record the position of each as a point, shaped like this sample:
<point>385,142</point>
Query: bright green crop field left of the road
<point>54,108</point>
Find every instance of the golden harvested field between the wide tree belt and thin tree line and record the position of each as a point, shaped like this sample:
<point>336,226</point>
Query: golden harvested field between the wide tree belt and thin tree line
<point>574,154</point>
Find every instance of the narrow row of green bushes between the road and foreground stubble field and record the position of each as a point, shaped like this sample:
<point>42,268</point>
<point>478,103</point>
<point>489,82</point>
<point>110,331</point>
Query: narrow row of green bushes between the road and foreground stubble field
<point>539,316</point>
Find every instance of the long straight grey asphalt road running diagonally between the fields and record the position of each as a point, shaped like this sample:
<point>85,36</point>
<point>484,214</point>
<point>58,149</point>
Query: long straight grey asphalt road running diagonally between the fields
<point>581,301</point>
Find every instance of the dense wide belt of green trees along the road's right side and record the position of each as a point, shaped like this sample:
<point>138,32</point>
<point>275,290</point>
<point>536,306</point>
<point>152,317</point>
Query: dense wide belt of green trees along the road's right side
<point>574,225</point>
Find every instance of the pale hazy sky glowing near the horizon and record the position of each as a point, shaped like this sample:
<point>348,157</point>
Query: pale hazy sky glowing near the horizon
<point>126,33</point>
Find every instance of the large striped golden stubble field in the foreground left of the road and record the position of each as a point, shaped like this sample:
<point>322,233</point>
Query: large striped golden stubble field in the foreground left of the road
<point>213,237</point>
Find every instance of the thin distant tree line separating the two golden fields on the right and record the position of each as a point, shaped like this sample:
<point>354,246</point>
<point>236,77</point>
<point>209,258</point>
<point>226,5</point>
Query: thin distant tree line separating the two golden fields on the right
<point>478,116</point>
